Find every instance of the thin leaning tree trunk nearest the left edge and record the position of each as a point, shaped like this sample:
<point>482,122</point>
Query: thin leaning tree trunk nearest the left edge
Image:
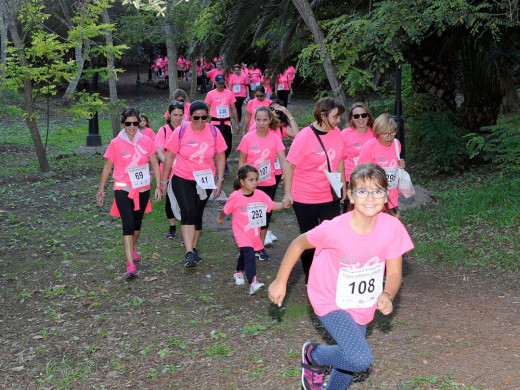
<point>27,93</point>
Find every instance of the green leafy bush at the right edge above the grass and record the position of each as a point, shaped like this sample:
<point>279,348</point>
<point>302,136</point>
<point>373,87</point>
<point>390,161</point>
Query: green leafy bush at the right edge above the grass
<point>499,144</point>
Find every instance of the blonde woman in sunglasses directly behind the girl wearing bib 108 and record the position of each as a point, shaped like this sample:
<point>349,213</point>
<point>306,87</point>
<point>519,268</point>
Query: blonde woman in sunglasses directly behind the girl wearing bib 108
<point>382,150</point>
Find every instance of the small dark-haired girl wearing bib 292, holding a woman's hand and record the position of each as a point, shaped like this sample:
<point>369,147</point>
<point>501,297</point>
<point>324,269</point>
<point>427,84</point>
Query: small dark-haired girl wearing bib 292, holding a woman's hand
<point>249,206</point>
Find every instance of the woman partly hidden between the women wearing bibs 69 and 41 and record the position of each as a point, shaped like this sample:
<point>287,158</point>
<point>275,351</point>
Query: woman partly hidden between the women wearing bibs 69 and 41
<point>175,118</point>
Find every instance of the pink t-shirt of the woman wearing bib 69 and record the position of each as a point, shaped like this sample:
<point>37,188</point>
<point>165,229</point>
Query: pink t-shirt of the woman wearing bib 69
<point>124,155</point>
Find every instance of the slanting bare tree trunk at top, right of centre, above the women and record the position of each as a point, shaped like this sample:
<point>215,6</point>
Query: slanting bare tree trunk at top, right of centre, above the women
<point>305,11</point>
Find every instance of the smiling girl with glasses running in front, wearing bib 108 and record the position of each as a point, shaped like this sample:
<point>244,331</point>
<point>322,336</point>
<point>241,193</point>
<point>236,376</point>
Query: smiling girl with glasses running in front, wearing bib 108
<point>346,286</point>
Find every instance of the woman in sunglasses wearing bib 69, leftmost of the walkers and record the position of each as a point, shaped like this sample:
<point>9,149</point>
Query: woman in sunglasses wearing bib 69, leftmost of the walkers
<point>129,154</point>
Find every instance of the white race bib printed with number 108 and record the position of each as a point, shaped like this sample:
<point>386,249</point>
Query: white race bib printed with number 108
<point>358,288</point>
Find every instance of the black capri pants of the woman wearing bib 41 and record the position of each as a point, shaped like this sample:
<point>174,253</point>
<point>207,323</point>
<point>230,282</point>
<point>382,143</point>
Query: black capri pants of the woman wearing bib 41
<point>192,207</point>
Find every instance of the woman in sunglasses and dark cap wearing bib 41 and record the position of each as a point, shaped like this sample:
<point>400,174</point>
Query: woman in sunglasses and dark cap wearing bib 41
<point>195,144</point>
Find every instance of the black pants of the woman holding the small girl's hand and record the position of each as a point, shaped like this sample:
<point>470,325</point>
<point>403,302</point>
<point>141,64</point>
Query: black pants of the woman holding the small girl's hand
<point>309,216</point>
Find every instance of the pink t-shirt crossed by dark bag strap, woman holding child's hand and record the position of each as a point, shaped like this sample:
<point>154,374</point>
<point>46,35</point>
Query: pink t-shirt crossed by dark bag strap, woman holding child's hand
<point>310,185</point>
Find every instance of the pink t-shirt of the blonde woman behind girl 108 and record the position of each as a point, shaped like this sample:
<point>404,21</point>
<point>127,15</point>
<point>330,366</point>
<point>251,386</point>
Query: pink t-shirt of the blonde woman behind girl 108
<point>375,152</point>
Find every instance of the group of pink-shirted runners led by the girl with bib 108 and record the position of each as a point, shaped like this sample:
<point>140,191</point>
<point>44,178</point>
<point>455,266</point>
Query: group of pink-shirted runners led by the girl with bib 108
<point>352,261</point>
